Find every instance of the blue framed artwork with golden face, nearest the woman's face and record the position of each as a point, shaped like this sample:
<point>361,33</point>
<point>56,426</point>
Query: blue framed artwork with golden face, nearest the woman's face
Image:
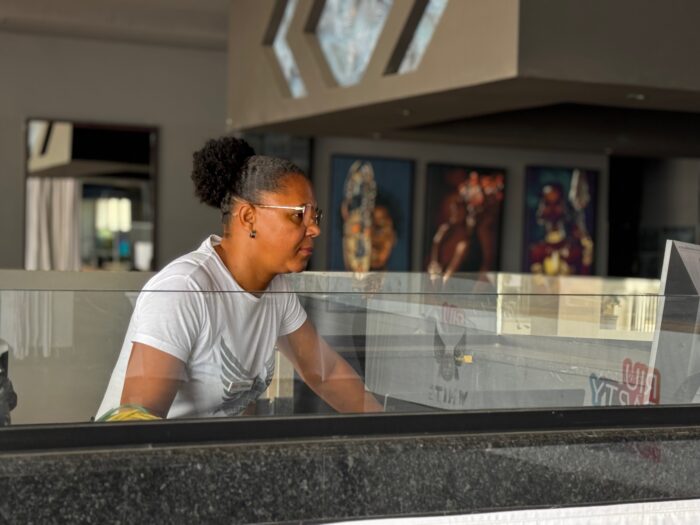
<point>370,214</point>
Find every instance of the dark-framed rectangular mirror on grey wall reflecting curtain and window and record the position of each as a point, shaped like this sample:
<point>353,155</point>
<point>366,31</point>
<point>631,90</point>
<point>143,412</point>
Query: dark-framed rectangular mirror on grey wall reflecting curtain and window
<point>90,196</point>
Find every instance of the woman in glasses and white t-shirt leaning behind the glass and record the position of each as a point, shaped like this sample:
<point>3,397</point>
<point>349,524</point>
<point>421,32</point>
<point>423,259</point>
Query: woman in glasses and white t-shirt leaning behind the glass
<point>202,336</point>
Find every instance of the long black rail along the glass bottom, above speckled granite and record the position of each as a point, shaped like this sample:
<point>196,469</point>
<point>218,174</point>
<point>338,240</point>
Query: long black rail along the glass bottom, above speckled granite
<point>71,436</point>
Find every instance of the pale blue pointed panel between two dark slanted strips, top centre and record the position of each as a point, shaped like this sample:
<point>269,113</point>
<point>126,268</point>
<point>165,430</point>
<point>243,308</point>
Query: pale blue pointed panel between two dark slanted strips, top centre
<point>348,32</point>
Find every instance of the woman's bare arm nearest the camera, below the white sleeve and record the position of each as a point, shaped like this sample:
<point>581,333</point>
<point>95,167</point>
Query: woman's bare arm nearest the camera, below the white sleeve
<point>152,379</point>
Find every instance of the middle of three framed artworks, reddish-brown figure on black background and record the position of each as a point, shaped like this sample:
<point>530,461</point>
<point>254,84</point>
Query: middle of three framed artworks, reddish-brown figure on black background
<point>464,208</point>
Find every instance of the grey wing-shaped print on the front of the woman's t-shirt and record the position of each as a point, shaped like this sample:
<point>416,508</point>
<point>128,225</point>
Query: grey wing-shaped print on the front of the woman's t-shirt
<point>239,389</point>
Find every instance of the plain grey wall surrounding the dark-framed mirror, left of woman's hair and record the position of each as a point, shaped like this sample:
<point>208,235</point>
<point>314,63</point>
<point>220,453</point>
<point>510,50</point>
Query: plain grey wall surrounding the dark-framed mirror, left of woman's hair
<point>181,91</point>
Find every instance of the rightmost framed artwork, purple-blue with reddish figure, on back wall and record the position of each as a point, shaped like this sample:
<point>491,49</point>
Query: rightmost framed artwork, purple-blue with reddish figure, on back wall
<point>559,225</point>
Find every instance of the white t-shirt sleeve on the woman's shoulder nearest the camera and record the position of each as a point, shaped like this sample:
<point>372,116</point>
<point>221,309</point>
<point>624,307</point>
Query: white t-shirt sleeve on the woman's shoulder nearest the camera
<point>170,318</point>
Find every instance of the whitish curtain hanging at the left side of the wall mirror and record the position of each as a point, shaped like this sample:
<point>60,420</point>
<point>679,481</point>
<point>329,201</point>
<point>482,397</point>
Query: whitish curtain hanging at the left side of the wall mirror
<point>53,224</point>
